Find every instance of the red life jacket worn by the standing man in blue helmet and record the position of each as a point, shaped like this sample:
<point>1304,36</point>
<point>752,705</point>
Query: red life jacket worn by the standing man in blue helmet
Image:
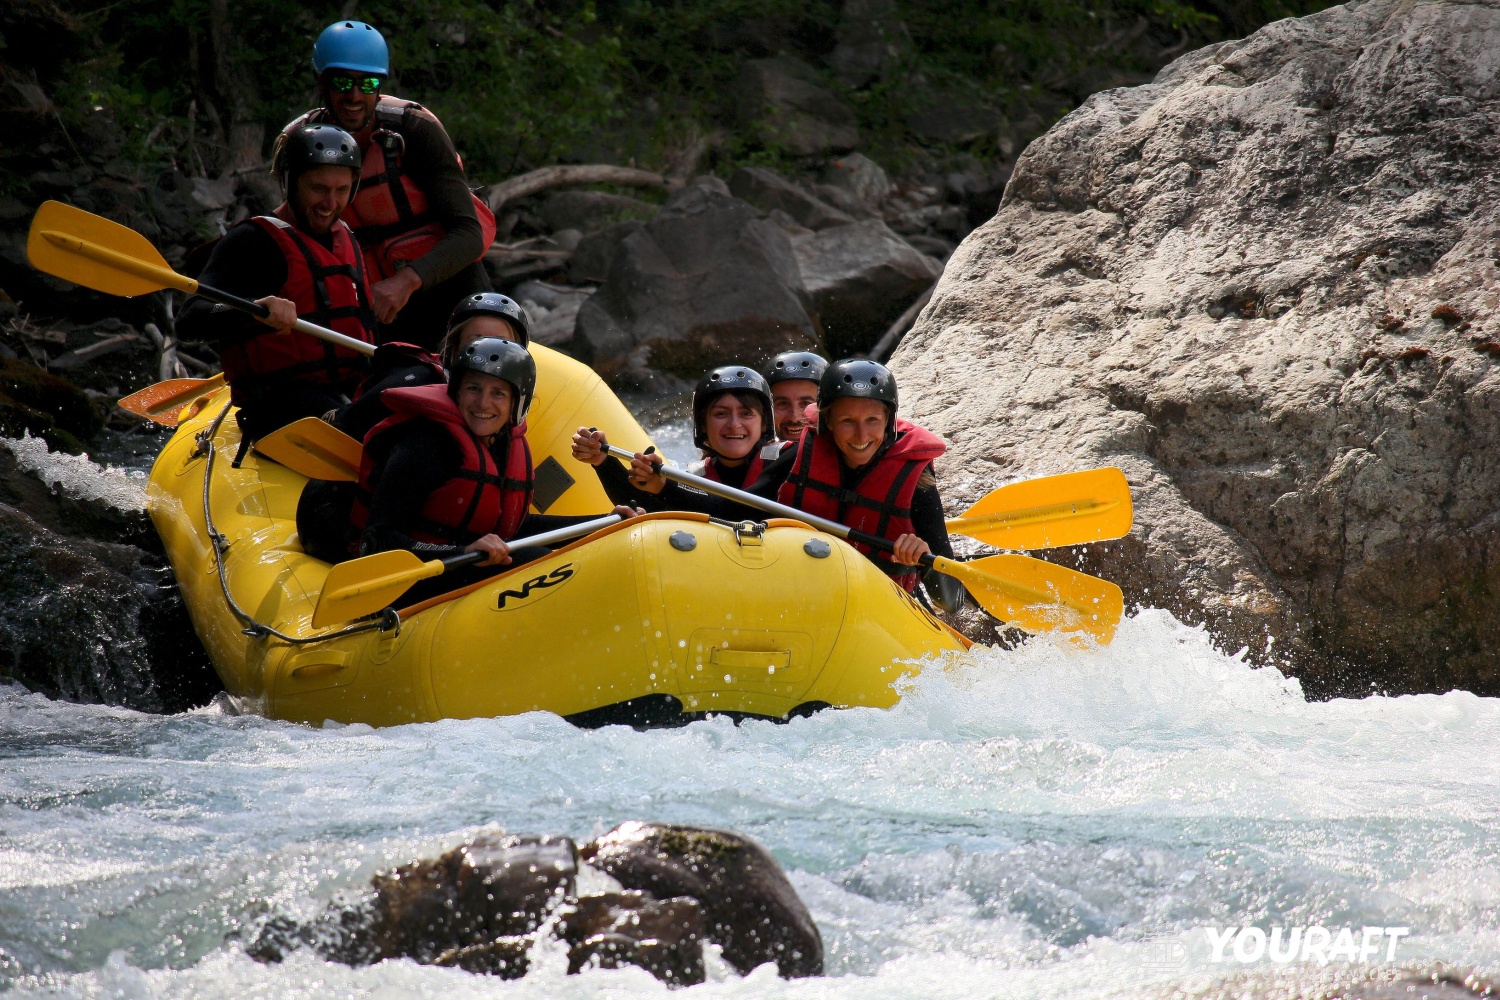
<point>389,214</point>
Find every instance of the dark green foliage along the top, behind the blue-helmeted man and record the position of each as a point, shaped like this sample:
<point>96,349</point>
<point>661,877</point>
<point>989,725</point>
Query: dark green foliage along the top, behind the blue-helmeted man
<point>526,83</point>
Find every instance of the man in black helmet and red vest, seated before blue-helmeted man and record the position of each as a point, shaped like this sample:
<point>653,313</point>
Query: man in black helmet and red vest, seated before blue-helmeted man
<point>301,262</point>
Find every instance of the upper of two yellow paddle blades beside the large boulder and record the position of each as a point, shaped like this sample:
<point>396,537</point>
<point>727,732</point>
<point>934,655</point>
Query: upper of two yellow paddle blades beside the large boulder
<point>1055,510</point>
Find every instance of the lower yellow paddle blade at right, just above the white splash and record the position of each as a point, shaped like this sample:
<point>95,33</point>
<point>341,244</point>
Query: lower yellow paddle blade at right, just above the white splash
<point>1039,596</point>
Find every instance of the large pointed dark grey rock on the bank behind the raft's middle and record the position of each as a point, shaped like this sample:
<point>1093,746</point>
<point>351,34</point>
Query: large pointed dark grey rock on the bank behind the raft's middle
<point>706,283</point>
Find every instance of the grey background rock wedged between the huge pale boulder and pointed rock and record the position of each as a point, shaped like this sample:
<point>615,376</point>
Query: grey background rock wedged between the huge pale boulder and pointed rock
<point>862,278</point>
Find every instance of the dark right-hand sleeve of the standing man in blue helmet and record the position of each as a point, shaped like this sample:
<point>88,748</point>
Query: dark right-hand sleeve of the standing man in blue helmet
<point>434,166</point>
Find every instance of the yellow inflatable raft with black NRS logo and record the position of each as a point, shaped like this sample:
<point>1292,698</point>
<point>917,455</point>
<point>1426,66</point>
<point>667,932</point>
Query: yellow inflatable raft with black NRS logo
<point>649,621</point>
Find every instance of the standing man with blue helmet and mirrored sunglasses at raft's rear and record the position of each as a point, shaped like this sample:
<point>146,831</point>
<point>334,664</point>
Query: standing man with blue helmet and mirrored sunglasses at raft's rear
<point>424,233</point>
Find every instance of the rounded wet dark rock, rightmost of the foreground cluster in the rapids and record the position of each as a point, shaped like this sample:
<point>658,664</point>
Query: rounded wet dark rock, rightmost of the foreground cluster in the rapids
<point>749,906</point>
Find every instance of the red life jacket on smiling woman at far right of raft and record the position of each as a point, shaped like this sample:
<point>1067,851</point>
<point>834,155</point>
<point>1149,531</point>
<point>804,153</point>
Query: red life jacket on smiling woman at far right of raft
<point>881,504</point>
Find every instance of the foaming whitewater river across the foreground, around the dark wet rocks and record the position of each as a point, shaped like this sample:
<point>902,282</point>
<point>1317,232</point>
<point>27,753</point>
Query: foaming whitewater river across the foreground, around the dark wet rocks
<point>1040,822</point>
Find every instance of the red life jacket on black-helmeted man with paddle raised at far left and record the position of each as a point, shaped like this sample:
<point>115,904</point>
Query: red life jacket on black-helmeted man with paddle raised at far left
<point>328,287</point>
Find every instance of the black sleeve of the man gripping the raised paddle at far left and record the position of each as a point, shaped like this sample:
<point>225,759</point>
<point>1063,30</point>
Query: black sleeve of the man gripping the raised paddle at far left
<point>244,263</point>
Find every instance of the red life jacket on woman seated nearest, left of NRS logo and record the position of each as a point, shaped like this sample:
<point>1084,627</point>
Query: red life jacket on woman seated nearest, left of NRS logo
<point>479,500</point>
